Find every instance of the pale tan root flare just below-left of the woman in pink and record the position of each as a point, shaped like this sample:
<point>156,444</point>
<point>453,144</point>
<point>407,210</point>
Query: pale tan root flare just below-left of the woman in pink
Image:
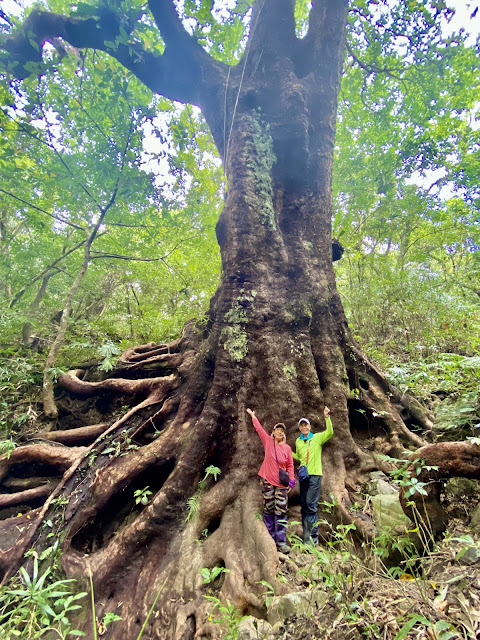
<point>243,547</point>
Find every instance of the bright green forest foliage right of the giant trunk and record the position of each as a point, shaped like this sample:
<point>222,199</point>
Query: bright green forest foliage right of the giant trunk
<point>411,237</point>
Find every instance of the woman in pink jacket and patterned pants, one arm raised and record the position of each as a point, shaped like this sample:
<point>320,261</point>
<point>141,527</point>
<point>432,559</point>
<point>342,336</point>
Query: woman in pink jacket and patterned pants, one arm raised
<point>278,455</point>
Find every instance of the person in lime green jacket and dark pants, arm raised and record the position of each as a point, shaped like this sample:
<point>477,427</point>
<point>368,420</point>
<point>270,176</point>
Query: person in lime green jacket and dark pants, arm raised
<point>308,452</point>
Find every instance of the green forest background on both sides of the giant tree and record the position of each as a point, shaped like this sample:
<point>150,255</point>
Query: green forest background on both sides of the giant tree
<point>109,198</point>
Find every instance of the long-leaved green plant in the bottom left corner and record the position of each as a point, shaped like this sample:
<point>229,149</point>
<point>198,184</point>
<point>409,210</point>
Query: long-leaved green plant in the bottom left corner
<point>31,606</point>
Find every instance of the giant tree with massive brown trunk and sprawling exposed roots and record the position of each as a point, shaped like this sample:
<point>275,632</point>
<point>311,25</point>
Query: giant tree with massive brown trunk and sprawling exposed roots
<point>276,337</point>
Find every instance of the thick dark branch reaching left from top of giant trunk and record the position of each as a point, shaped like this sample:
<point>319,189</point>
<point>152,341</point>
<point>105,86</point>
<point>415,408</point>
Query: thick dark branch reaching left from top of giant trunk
<point>177,74</point>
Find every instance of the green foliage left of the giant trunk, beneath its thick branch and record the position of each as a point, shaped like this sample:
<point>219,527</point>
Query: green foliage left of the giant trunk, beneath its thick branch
<point>62,144</point>
